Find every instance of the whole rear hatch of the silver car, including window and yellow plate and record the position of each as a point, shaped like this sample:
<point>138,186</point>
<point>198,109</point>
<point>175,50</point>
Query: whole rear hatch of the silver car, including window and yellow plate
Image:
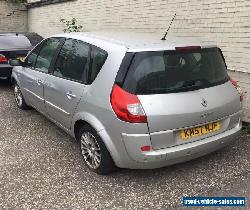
<point>186,93</point>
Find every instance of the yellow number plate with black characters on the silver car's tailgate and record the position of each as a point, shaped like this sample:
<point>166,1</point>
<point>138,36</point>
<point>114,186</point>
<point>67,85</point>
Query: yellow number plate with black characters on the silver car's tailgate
<point>200,130</point>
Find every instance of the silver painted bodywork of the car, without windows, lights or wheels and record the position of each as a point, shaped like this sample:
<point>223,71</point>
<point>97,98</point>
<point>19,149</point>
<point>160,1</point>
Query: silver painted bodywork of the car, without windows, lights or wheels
<point>167,113</point>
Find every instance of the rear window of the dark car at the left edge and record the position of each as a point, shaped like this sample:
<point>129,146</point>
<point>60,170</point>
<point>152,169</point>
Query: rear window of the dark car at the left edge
<point>13,41</point>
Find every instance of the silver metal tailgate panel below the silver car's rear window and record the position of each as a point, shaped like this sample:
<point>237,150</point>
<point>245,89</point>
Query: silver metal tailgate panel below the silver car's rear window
<point>180,110</point>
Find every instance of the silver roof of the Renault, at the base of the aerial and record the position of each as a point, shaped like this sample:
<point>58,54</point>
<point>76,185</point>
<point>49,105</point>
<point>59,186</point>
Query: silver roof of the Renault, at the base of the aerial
<point>137,41</point>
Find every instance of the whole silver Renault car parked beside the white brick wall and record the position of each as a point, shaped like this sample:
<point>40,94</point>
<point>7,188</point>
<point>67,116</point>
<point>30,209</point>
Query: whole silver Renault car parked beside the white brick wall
<point>132,100</point>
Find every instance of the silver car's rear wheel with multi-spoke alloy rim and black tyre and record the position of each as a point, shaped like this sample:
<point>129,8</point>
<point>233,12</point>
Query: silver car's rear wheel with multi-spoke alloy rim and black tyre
<point>94,152</point>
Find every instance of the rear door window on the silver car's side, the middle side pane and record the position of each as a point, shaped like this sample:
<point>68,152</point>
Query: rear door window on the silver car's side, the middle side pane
<point>72,61</point>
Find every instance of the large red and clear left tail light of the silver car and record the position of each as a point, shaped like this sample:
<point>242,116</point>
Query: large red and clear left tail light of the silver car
<point>127,106</point>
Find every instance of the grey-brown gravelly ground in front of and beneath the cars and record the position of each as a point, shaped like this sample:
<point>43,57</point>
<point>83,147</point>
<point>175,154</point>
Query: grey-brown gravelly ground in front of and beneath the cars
<point>41,168</point>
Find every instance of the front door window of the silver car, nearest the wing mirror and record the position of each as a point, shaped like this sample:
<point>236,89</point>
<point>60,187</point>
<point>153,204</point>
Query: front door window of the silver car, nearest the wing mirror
<point>46,54</point>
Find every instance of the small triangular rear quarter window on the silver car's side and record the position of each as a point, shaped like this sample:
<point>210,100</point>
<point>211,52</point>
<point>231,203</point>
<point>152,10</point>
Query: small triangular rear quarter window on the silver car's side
<point>98,58</point>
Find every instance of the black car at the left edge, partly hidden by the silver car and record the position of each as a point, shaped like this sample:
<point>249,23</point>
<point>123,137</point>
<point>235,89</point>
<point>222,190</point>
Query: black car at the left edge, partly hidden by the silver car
<point>15,45</point>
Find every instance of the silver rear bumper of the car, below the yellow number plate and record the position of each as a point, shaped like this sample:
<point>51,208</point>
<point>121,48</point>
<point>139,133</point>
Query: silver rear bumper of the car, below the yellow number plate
<point>168,156</point>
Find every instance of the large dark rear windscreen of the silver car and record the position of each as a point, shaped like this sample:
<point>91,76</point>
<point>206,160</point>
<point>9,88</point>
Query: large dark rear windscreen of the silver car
<point>174,71</point>
